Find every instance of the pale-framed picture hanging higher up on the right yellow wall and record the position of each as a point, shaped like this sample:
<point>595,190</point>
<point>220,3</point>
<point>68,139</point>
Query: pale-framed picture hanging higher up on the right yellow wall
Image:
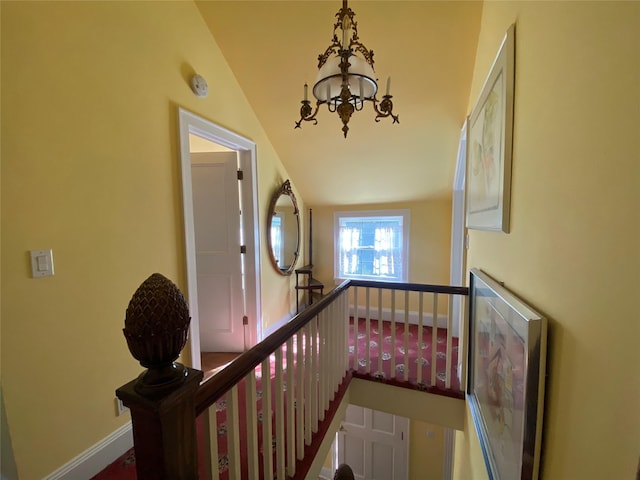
<point>489,145</point>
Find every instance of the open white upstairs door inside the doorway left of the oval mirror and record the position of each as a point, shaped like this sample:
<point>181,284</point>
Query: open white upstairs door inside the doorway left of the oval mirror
<point>216,212</point>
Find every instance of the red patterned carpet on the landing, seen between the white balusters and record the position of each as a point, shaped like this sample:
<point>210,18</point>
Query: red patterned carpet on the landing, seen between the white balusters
<point>418,349</point>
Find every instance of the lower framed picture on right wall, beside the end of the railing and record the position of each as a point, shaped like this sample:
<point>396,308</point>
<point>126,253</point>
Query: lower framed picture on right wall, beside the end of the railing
<point>507,360</point>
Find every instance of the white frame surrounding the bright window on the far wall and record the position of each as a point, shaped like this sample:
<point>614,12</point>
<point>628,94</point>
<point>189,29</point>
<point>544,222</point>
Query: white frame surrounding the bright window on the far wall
<point>406,217</point>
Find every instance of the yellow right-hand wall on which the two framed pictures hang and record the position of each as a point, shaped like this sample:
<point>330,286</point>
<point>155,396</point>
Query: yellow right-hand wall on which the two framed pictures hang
<point>573,248</point>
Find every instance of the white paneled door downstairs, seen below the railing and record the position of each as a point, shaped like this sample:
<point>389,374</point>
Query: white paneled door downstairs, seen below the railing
<point>374,444</point>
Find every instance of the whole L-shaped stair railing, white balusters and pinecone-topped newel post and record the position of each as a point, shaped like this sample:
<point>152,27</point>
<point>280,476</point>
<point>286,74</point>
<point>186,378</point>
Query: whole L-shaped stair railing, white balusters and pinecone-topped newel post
<point>281,395</point>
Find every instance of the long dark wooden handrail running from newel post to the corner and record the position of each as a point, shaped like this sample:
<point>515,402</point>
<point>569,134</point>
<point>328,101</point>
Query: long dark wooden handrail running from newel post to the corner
<point>221,383</point>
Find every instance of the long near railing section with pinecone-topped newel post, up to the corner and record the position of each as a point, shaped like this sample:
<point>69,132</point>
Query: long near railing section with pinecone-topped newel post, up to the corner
<point>309,356</point>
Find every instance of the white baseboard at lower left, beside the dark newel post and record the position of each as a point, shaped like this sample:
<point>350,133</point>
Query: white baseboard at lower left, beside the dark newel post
<point>96,458</point>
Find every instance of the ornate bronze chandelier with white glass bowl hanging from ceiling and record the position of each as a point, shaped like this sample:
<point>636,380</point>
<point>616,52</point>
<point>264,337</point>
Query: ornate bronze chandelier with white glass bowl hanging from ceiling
<point>346,79</point>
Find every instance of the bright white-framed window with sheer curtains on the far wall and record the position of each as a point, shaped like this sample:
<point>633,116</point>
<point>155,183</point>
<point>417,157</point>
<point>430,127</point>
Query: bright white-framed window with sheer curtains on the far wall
<point>372,245</point>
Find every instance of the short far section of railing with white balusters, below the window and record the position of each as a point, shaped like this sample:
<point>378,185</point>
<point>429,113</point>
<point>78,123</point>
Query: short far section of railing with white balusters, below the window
<point>389,313</point>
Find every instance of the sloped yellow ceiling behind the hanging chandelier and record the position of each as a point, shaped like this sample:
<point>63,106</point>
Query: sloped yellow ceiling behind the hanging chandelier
<point>428,48</point>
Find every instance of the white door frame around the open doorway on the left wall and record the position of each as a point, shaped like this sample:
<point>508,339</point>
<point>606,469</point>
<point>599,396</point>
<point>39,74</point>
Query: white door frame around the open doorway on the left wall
<point>190,123</point>
